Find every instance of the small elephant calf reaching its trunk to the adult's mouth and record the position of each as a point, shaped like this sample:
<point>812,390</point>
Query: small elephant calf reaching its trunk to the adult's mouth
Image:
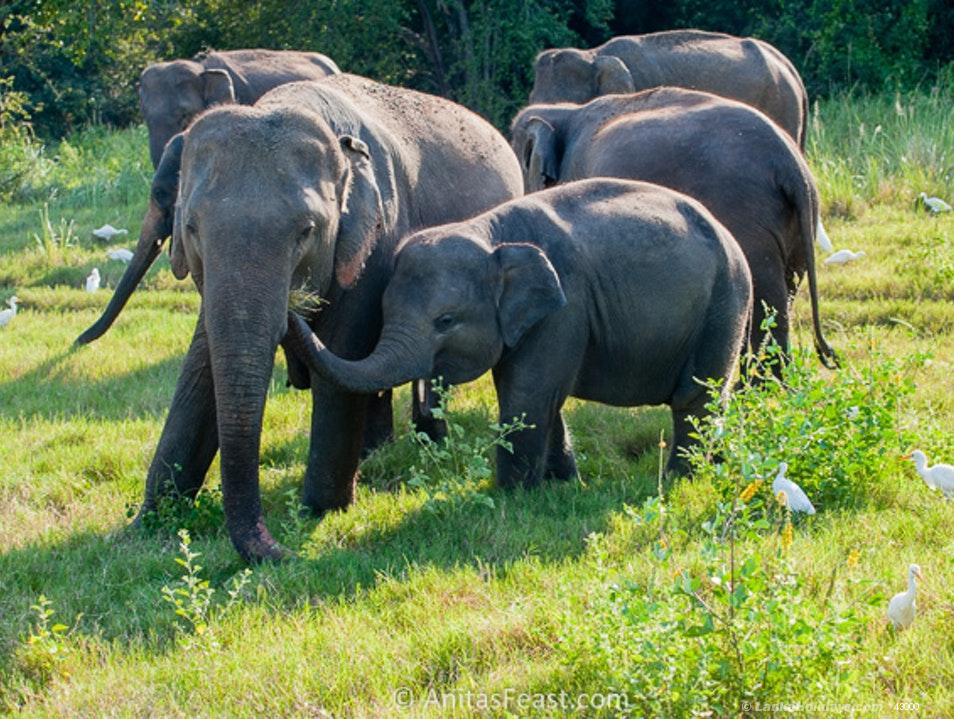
<point>610,290</point>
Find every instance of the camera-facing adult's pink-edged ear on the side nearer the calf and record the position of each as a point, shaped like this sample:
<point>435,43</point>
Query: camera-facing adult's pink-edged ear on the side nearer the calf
<point>361,214</point>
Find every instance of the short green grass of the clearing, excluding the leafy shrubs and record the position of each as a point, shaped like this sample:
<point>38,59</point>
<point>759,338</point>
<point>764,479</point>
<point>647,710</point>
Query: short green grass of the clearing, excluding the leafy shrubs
<point>389,594</point>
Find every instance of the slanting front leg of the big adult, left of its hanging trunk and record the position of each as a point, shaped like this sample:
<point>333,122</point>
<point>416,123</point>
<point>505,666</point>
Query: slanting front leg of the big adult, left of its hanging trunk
<point>190,437</point>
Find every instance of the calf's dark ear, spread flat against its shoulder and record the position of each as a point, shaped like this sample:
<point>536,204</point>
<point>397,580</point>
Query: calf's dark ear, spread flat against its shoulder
<point>529,289</point>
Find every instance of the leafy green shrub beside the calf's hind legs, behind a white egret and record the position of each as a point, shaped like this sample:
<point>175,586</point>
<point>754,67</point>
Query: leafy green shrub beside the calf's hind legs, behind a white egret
<point>837,433</point>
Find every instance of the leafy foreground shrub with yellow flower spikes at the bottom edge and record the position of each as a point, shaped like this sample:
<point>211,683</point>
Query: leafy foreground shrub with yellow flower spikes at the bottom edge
<point>739,629</point>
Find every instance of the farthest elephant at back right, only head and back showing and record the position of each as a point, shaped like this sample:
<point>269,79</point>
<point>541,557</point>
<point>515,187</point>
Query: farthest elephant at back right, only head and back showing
<point>743,69</point>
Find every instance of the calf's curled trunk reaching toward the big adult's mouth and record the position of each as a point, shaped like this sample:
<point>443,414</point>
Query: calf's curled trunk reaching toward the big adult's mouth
<point>394,360</point>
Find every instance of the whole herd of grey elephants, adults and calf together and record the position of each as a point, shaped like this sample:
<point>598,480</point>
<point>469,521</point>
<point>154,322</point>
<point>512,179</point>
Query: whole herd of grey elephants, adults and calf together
<point>667,200</point>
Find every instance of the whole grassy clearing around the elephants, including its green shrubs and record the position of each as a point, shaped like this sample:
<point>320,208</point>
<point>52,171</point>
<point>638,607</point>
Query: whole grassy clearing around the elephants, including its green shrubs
<point>593,588</point>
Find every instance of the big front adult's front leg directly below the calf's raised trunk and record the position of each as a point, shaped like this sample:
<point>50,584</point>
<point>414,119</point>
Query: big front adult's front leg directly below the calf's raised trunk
<point>337,427</point>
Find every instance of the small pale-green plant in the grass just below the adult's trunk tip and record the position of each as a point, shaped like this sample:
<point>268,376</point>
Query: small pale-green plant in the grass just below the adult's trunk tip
<point>192,597</point>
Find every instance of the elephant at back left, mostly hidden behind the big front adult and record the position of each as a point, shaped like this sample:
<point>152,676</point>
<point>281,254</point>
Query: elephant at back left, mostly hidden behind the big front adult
<point>172,93</point>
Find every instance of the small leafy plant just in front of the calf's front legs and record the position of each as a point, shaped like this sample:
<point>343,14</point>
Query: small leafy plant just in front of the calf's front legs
<point>453,472</point>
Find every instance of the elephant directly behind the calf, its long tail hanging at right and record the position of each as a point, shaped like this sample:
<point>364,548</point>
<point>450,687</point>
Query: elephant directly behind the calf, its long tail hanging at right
<point>725,154</point>
